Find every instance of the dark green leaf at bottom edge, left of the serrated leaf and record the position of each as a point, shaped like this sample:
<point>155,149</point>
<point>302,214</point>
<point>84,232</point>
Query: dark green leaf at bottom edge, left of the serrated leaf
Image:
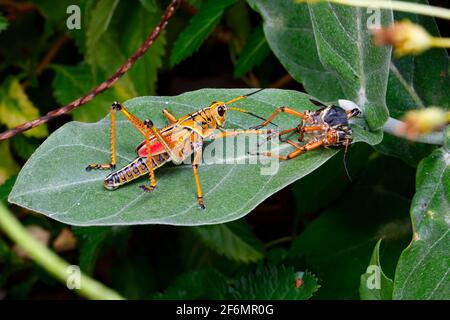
<point>192,285</point>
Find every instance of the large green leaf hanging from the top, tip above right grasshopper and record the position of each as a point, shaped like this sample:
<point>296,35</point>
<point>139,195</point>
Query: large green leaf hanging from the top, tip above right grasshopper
<point>328,48</point>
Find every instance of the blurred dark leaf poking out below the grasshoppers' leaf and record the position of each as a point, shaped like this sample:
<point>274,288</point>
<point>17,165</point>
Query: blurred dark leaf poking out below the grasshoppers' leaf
<point>235,240</point>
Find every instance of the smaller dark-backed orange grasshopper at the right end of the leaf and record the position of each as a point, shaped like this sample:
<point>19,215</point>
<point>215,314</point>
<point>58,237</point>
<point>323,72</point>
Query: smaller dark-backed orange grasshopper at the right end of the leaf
<point>327,127</point>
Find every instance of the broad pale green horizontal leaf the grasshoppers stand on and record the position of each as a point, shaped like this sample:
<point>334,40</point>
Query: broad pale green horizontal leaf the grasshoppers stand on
<point>55,183</point>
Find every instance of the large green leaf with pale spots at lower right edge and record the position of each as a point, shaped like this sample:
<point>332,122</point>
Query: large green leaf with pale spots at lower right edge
<point>423,271</point>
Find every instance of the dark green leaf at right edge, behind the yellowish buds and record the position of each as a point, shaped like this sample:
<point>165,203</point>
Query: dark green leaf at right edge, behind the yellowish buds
<point>416,82</point>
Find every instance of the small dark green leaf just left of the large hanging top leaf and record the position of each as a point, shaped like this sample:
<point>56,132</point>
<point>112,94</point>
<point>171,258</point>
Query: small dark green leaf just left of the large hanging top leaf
<point>254,52</point>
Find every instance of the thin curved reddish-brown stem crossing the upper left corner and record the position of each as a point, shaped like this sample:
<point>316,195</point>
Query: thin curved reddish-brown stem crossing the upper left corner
<point>168,13</point>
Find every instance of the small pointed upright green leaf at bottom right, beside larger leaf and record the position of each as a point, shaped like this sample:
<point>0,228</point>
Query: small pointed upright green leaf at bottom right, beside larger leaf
<point>374,283</point>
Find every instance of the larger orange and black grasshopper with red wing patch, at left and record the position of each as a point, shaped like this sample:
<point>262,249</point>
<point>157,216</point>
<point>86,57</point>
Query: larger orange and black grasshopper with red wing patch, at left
<point>175,142</point>
